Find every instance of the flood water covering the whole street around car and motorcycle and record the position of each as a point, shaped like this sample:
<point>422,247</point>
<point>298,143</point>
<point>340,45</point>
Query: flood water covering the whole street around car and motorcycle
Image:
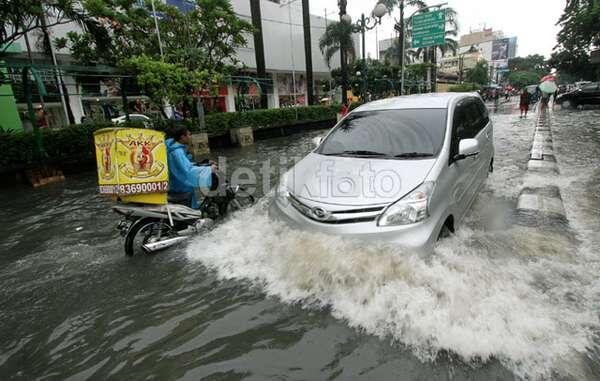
<point>256,300</point>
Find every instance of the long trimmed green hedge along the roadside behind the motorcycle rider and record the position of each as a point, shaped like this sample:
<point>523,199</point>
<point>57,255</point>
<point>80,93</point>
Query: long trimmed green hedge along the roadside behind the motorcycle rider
<point>74,143</point>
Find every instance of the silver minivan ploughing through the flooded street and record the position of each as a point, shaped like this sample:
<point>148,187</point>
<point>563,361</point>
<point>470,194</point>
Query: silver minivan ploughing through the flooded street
<point>403,170</point>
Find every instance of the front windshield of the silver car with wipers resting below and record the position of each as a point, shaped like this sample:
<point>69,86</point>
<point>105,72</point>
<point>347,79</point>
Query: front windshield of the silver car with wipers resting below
<point>400,134</point>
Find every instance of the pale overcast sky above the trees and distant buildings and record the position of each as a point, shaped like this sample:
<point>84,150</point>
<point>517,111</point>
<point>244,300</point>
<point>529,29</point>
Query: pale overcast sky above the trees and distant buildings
<point>531,21</point>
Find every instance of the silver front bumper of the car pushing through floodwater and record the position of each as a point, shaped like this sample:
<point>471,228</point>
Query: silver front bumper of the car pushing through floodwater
<point>421,235</point>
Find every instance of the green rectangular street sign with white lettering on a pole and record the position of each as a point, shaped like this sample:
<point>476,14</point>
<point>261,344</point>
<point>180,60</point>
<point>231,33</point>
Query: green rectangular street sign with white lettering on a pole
<point>429,29</point>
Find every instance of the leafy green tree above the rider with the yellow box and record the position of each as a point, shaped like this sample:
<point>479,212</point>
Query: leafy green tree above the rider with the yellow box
<point>206,37</point>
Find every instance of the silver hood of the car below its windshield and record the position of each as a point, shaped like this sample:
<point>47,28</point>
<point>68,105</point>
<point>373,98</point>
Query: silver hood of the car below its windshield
<point>355,181</point>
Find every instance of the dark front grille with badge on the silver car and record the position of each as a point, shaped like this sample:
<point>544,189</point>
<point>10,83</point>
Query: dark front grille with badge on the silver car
<point>346,216</point>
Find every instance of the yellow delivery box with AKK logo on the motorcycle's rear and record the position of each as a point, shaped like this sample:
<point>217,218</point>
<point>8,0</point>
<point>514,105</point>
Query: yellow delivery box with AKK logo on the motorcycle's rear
<point>132,164</point>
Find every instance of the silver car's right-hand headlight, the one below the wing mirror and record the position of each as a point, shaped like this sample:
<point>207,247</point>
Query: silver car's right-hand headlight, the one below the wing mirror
<point>410,209</point>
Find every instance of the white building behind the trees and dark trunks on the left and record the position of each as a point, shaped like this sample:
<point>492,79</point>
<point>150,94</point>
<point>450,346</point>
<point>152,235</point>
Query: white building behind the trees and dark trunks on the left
<point>283,39</point>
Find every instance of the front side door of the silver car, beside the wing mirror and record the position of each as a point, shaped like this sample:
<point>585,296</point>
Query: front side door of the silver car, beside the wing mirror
<point>464,170</point>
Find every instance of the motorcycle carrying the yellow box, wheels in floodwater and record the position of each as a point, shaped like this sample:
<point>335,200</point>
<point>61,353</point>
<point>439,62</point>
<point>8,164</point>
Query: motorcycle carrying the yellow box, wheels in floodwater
<point>152,228</point>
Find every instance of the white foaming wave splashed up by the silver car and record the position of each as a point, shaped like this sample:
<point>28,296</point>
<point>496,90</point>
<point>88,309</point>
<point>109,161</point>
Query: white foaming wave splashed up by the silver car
<point>480,296</point>
